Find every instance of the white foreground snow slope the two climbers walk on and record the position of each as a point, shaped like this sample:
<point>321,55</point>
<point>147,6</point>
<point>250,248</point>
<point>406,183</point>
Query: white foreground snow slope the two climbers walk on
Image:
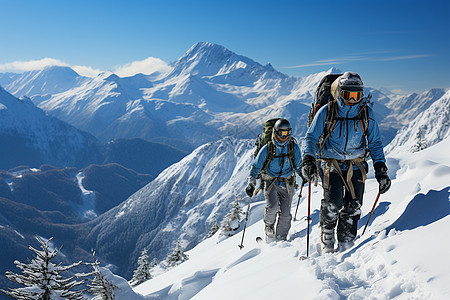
<point>402,255</point>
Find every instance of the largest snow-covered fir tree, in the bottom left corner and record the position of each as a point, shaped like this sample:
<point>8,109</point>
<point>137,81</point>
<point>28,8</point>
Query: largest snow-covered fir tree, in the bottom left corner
<point>42,278</point>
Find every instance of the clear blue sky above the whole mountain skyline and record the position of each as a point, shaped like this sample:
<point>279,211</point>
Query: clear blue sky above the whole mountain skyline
<point>400,45</point>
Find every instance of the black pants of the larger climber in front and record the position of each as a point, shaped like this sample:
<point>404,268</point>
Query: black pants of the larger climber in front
<point>338,207</point>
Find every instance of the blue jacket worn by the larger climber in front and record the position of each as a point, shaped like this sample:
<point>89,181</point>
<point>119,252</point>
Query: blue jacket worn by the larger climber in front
<point>344,142</point>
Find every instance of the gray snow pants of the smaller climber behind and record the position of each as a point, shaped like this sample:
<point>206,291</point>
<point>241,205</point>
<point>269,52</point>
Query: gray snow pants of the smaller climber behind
<point>278,202</point>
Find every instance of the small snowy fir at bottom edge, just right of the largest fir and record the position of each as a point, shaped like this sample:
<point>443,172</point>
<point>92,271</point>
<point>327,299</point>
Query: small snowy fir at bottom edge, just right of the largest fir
<point>99,286</point>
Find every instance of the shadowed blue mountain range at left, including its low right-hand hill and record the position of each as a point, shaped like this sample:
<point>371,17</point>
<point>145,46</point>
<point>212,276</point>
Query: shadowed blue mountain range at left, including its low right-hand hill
<point>31,137</point>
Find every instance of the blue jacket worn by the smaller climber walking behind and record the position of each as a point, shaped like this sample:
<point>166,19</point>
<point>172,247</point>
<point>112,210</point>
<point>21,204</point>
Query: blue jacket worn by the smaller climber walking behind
<point>280,166</point>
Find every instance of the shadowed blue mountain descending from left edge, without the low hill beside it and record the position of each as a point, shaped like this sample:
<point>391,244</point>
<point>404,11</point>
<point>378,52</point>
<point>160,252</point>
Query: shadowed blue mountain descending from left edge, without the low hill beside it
<point>30,136</point>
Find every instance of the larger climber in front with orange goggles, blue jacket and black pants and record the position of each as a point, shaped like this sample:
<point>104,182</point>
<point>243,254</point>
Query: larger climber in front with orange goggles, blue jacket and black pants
<point>341,134</point>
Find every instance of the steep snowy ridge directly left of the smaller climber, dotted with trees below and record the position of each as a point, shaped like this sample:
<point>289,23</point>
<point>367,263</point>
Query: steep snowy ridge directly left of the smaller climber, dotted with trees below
<point>181,203</point>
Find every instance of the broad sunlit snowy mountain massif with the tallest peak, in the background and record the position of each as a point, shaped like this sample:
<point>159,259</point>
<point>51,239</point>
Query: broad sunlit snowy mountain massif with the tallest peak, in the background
<point>210,93</point>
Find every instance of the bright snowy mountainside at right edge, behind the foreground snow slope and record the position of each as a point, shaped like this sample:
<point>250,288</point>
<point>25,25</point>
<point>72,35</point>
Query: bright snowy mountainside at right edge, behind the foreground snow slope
<point>428,128</point>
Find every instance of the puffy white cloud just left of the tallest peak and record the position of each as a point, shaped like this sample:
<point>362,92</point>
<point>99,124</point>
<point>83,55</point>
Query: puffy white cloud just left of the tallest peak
<point>146,66</point>
